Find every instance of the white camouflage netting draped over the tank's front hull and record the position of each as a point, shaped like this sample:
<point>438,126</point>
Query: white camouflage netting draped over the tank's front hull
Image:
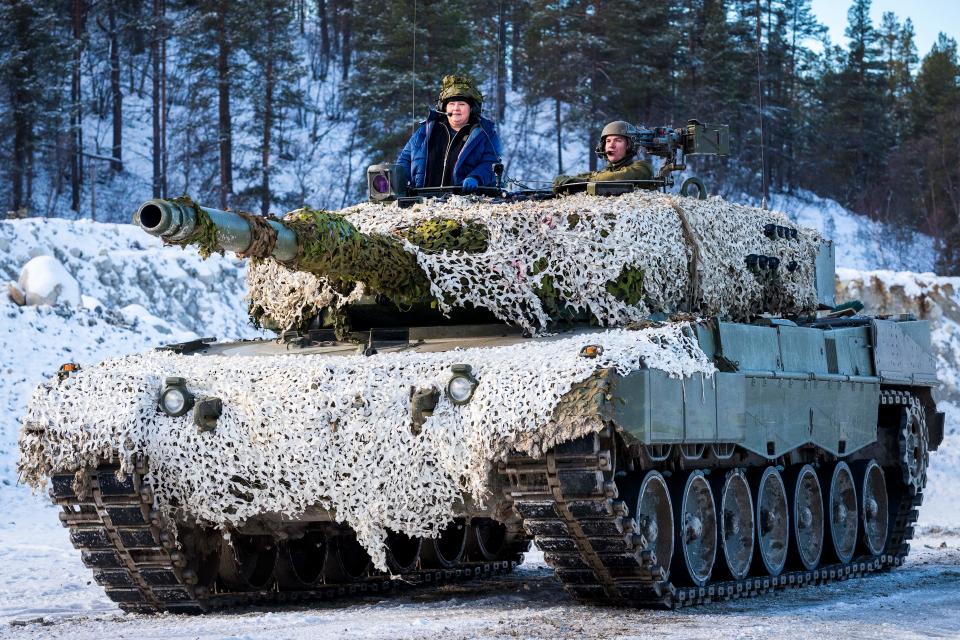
<point>333,431</point>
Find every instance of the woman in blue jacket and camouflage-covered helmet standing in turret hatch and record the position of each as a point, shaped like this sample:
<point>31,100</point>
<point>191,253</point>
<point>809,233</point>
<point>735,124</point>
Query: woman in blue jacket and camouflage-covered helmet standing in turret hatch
<point>455,145</point>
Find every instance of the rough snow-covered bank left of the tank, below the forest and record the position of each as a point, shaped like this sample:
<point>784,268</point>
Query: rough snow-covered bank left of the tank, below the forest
<point>135,294</point>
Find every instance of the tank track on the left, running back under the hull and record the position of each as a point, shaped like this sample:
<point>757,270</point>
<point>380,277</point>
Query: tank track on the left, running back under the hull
<point>137,562</point>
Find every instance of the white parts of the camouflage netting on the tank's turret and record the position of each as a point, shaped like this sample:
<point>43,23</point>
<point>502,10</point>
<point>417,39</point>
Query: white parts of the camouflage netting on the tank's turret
<point>645,230</point>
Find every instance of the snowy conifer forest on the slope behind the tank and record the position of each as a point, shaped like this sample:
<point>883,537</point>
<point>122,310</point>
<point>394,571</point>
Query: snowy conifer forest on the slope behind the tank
<point>271,104</point>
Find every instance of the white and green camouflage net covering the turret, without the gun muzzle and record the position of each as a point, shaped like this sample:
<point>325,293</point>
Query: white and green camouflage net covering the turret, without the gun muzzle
<point>532,263</point>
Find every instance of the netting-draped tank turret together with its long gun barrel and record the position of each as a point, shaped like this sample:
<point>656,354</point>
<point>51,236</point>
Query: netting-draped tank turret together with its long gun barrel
<point>532,264</point>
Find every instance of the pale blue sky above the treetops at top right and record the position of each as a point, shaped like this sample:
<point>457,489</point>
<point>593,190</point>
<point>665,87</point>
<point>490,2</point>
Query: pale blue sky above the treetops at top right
<point>929,18</point>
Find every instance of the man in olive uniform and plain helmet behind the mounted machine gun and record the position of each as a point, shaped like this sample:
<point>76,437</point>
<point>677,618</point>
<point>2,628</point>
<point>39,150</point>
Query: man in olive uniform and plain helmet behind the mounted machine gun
<point>618,146</point>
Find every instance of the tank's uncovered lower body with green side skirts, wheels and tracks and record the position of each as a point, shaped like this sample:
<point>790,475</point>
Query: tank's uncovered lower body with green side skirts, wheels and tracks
<point>636,513</point>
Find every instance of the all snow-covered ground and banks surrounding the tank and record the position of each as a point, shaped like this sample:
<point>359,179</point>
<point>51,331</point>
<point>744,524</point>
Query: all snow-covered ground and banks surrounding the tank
<point>137,295</point>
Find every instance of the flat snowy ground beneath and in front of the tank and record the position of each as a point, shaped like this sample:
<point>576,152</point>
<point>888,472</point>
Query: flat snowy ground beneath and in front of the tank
<point>46,592</point>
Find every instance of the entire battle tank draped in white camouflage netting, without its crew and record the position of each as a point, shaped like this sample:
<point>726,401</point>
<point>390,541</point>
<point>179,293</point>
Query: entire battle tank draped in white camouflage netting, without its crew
<point>660,392</point>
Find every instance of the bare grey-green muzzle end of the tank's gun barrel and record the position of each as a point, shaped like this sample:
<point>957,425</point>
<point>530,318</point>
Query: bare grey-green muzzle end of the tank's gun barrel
<point>178,223</point>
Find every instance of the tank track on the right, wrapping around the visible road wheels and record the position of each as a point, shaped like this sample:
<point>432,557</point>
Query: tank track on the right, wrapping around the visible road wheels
<point>569,503</point>
